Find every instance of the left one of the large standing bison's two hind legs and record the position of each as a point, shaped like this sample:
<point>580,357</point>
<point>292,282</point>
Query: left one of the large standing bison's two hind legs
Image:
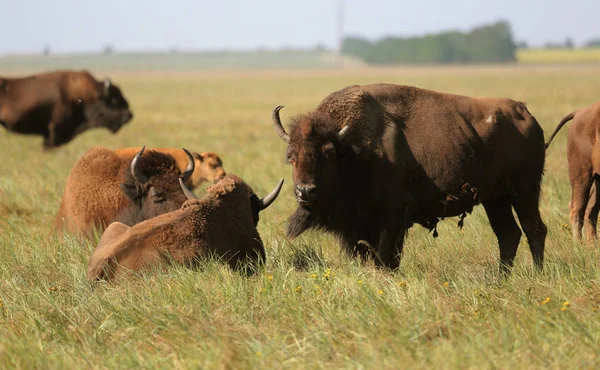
<point>499,212</point>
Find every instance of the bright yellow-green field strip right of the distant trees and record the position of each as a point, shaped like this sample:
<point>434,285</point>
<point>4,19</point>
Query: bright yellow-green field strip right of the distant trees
<point>538,56</point>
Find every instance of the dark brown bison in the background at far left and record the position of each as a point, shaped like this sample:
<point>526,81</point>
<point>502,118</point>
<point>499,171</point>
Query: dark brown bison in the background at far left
<point>60,105</point>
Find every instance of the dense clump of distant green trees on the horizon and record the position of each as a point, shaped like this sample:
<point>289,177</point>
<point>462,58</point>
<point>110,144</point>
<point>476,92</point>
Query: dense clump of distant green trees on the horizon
<point>486,44</point>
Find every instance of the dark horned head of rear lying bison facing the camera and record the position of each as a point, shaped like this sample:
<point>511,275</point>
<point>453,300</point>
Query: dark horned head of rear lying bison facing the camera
<point>152,186</point>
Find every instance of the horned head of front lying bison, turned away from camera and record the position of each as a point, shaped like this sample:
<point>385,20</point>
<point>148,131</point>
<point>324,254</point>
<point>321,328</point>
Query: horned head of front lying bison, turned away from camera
<point>234,188</point>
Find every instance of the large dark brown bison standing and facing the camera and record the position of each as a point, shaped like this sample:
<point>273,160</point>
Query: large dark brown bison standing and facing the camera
<point>370,161</point>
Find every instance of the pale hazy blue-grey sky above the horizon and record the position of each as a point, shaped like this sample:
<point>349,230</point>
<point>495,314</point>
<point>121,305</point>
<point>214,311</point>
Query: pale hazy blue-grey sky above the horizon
<point>88,25</point>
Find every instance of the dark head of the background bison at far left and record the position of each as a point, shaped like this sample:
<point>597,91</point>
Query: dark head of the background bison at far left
<point>110,110</point>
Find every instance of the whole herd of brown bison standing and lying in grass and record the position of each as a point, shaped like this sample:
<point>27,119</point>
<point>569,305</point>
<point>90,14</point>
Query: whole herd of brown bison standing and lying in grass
<point>368,163</point>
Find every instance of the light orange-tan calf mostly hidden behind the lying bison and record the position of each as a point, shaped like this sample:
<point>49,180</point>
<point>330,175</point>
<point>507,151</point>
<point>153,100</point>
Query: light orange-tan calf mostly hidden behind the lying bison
<point>209,166</point>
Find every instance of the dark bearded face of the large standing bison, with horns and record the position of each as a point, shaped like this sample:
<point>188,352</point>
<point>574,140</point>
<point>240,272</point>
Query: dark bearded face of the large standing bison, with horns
<point>317,155</point>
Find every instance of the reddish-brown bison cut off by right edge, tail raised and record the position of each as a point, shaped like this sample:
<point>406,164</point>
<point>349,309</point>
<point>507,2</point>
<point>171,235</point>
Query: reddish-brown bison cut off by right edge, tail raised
<point>583,156</point>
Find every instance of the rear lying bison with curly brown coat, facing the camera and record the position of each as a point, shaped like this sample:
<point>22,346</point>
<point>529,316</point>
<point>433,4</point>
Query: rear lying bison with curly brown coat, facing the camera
<point>103,187</point>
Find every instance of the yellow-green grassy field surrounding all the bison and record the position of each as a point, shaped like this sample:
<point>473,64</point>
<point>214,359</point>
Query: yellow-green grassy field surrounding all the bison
<point>311,307</point>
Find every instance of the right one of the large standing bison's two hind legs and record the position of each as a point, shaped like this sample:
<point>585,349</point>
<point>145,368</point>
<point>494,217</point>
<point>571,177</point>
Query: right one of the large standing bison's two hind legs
<point>527,208</point>
